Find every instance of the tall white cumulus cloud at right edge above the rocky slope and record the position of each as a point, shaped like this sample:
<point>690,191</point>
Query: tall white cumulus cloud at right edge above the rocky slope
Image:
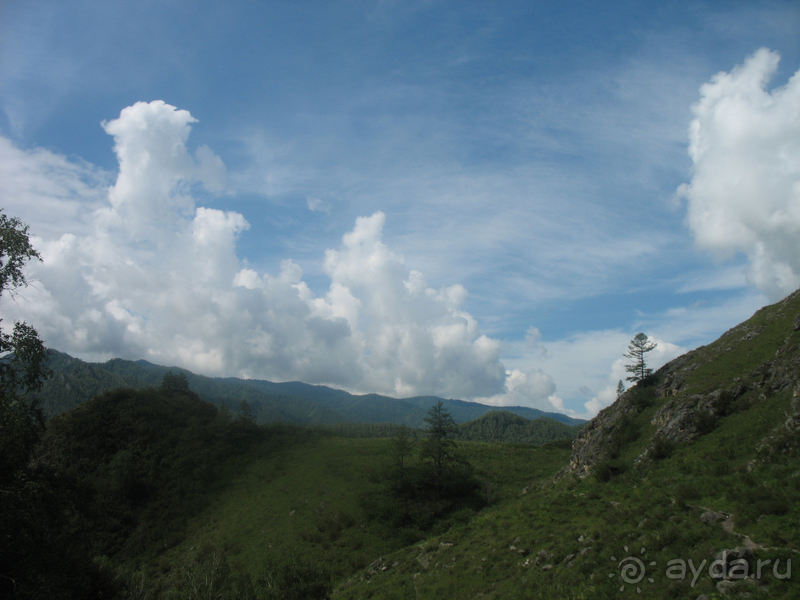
<point>744,195</point>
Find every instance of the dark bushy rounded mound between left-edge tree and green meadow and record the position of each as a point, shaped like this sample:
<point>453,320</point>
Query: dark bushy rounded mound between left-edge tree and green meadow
<point>144,460</point>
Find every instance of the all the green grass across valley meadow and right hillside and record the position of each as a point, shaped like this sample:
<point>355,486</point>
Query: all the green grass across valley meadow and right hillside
<point>544,539</point>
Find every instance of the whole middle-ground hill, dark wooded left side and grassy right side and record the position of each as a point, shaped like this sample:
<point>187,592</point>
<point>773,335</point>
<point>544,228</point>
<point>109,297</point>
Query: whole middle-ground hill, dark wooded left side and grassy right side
<point>132,482</point>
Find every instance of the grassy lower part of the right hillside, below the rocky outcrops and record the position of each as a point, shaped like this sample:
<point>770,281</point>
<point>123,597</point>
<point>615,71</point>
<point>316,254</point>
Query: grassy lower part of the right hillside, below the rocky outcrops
<point>567,540</point>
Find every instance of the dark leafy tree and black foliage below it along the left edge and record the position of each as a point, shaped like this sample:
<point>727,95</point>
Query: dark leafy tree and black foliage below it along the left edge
<point>42,549</point>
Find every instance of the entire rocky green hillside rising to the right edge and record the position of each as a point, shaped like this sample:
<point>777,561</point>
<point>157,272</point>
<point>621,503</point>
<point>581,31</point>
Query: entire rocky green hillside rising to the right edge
<point>702,460</point>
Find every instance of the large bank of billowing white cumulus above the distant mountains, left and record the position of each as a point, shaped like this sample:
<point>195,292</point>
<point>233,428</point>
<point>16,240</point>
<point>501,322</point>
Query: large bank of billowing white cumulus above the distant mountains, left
<point>150,274</point>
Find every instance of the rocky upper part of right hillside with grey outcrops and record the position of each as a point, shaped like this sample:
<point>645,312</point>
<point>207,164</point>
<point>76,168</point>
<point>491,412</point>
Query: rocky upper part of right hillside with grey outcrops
<point>684,414</point>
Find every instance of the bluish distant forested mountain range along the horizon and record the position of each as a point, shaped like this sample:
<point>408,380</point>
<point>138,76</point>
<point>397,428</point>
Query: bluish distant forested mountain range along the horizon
<point>75,381</point>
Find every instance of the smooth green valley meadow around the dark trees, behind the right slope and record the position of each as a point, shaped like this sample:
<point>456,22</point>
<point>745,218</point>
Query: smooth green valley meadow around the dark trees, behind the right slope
<point>302,498</point>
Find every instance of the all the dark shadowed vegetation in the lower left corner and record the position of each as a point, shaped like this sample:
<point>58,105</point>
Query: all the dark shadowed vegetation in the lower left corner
<point>117,478</point>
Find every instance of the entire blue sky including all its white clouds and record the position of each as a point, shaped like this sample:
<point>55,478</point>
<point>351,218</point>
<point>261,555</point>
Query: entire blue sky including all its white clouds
<point>469,199</point>
